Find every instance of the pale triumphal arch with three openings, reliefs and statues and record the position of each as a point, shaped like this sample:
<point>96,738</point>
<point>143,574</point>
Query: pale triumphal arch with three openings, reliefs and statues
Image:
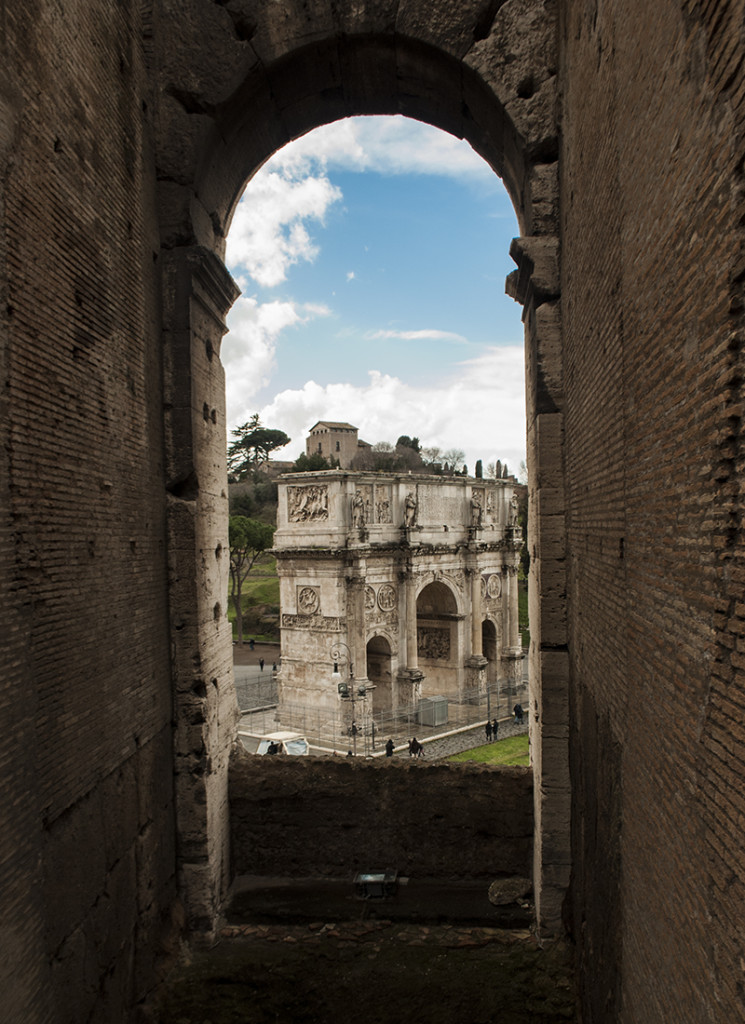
<point>414,578</point>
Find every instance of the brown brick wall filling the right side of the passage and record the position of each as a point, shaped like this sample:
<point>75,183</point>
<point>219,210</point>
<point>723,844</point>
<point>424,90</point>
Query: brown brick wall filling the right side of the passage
<point>653,313</point>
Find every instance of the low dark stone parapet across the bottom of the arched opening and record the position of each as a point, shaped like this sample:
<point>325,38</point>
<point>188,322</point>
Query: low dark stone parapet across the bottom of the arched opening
<point>333,817</point>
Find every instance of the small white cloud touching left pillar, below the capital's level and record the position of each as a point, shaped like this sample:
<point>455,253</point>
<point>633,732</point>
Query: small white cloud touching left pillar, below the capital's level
<point>248,352</point>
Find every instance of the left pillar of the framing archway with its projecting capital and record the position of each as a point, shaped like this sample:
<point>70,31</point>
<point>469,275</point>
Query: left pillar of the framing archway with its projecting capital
<point>198,291</point>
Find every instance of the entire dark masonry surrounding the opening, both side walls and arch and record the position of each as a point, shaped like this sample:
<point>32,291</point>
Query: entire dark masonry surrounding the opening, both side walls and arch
<point>126,135</point>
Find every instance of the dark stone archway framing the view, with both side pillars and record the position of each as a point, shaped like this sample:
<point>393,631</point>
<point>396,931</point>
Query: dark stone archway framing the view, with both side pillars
<point>234,87</point>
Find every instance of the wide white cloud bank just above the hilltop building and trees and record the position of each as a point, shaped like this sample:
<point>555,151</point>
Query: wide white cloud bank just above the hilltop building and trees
<point>481,409</point>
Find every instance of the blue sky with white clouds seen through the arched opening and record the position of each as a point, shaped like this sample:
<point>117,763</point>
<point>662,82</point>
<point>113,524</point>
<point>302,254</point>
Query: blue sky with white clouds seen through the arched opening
<point>372,255</point>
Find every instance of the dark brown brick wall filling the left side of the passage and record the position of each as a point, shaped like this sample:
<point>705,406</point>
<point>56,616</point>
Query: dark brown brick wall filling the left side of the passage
<point>86,803</point>
